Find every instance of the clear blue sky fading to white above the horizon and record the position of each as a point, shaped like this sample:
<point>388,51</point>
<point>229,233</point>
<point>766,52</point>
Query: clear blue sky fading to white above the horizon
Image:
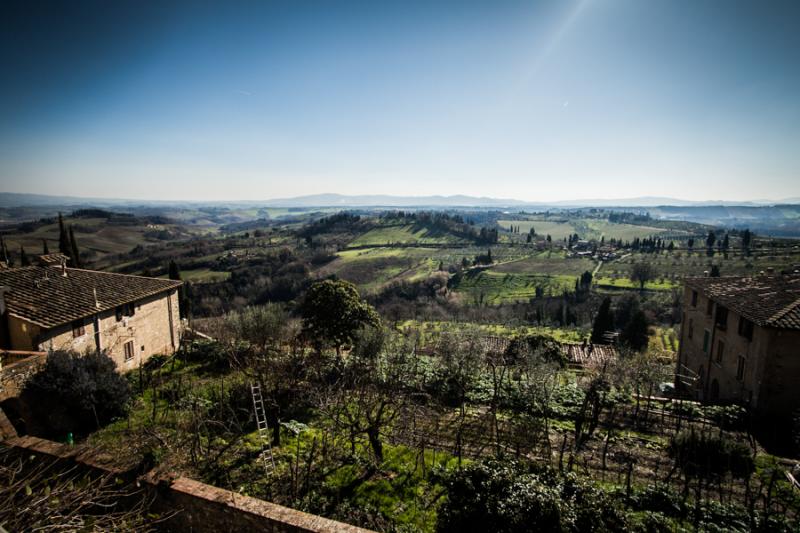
<point>535,101</point>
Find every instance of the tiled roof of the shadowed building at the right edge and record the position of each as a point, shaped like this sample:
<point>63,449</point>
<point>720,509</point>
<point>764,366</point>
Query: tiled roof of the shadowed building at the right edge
<point>767,300</point>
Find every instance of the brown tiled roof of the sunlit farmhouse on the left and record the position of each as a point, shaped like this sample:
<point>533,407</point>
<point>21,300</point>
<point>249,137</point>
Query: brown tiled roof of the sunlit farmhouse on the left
<point>47,298</point>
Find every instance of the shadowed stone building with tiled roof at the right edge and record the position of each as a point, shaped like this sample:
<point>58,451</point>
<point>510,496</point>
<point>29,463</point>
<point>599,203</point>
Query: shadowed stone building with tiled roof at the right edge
<point>740,341</point>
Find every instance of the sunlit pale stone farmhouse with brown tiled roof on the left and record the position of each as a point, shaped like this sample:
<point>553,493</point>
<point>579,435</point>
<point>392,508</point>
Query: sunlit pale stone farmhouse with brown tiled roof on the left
<point>51,307</point>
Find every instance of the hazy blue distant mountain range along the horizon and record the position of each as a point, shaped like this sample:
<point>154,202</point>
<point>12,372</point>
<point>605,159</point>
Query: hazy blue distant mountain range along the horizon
<point>340,200</point>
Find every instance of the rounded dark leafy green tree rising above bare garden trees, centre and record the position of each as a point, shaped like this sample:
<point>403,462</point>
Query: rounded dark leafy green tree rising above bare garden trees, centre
<point>333,313</point>
